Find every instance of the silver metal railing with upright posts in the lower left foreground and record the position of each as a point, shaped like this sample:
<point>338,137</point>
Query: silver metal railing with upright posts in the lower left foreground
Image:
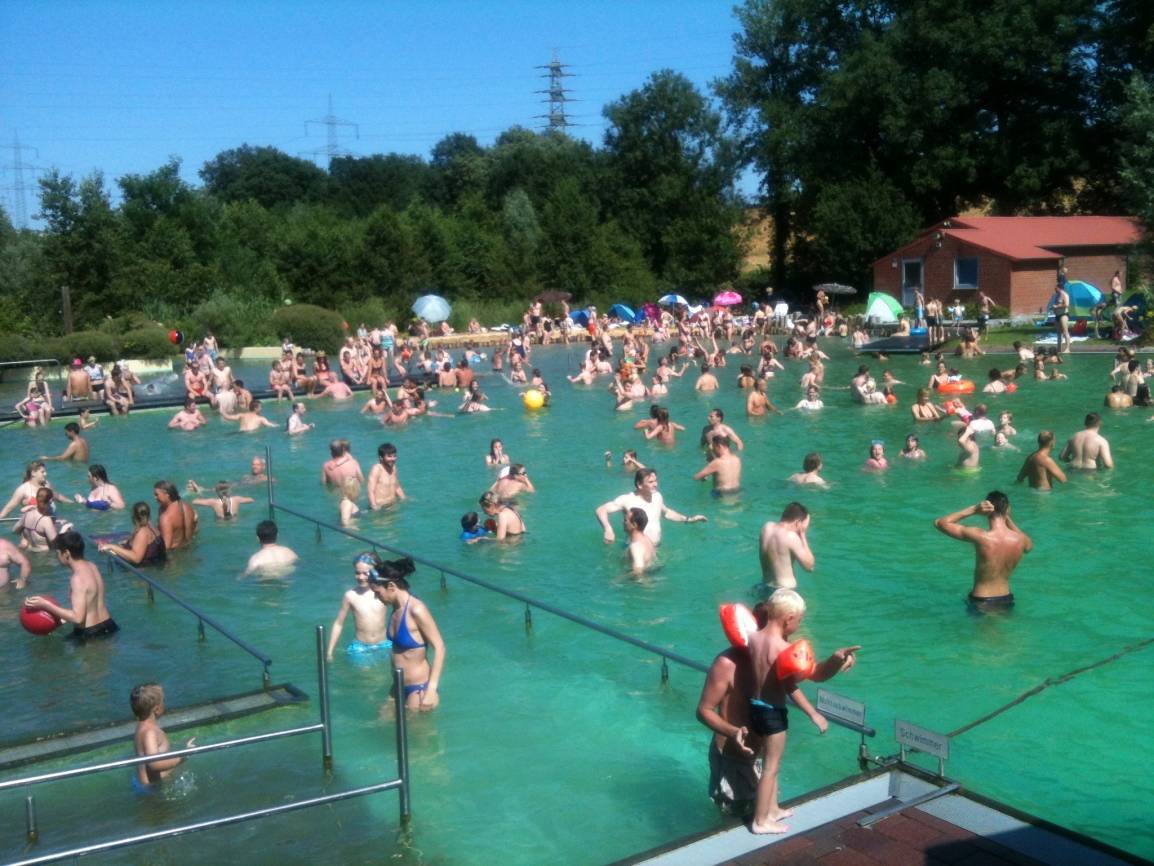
<point>402,783</point>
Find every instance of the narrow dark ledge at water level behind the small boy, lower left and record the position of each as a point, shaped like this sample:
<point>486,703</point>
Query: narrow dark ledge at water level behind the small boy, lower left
<point>222,710</point>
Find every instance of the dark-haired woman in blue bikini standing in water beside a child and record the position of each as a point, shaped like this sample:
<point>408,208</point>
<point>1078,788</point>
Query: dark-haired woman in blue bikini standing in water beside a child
<point>414,632</point>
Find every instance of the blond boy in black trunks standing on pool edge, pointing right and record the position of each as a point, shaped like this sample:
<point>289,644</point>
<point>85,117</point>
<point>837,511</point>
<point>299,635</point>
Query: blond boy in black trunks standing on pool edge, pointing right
<point>768,715</point>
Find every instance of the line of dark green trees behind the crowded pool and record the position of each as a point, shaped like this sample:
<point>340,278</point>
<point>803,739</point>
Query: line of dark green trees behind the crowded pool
<point>865,121</point>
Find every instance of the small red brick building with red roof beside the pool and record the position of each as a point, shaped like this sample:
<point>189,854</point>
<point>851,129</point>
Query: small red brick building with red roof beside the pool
<point>1015,260</point>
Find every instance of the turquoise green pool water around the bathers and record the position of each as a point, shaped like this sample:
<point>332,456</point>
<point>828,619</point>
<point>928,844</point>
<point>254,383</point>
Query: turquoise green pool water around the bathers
<point>565,746</point>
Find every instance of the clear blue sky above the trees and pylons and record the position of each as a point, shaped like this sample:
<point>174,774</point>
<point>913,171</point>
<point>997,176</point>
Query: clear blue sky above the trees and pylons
<point>122,86</point>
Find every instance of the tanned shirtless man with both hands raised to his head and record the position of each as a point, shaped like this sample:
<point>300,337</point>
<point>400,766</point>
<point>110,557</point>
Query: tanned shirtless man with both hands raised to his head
<point>998,550</point>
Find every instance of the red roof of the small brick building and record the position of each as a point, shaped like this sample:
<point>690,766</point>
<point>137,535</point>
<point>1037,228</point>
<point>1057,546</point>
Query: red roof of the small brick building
<point>1039,237</point>
